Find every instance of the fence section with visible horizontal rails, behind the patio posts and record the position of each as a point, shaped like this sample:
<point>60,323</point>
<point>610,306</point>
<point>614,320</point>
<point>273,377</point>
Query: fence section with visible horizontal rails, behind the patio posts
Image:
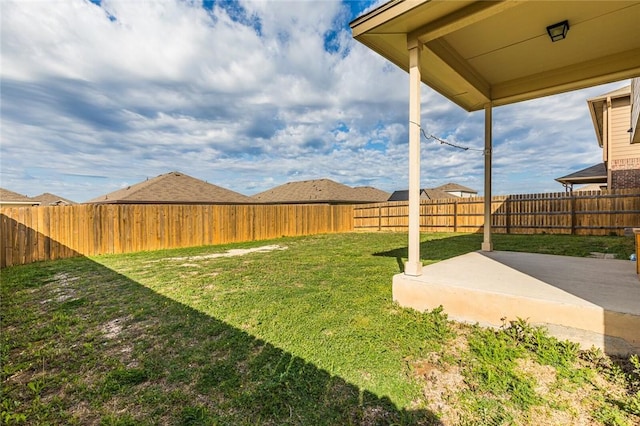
<point>583,213</point>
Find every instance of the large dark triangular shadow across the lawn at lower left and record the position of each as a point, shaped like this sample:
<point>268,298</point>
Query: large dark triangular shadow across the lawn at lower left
<point>88,345</point>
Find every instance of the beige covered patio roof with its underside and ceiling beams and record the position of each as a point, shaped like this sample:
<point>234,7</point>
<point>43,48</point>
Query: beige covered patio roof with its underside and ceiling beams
<point>475,52</point>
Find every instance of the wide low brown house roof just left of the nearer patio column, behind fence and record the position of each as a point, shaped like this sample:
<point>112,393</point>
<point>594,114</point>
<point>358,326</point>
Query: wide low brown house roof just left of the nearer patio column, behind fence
<point>319,191</point>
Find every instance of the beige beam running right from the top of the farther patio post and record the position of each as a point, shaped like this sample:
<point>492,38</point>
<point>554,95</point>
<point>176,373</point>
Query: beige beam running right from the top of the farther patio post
<point>619,66</point>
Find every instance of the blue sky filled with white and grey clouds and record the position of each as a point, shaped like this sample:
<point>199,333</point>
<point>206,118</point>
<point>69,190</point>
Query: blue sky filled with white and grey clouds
<point>247,95</point>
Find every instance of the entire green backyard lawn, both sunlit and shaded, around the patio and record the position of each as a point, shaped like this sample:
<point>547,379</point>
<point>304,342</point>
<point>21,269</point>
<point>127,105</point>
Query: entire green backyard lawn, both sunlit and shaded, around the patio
<point>304,334</point>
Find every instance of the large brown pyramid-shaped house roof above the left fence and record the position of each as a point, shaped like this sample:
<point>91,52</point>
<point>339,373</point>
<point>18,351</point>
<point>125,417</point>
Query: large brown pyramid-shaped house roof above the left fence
<point>173,188</point>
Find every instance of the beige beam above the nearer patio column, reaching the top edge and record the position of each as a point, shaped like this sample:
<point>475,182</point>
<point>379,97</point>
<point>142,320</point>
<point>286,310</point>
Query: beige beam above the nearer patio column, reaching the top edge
<point>461,18</point>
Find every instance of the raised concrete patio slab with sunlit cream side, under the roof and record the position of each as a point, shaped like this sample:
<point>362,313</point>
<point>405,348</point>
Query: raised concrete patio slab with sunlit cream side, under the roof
<point>594,302</point>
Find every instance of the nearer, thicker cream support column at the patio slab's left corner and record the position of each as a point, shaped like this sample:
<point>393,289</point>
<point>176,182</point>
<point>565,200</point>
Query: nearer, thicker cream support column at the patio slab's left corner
<point>413,266</point>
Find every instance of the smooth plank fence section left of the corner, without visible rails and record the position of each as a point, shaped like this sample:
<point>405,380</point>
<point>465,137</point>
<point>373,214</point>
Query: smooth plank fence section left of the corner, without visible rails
<point>30,234</point>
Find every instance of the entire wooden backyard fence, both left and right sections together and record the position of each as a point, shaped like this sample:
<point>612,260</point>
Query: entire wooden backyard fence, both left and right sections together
<point>30,234</point>
